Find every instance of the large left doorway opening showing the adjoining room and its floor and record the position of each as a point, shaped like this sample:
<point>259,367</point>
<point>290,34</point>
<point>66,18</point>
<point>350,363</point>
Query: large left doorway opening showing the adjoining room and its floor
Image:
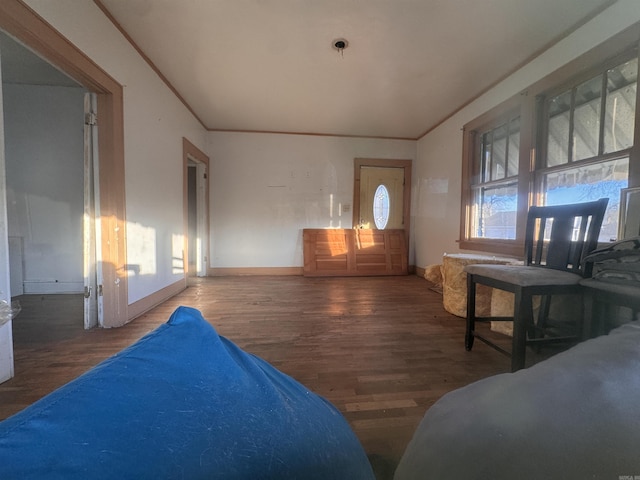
<point>44,164</point>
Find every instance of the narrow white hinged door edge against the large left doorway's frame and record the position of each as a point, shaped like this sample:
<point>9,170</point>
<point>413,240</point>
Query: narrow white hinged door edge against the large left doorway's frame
<point>91,224</point>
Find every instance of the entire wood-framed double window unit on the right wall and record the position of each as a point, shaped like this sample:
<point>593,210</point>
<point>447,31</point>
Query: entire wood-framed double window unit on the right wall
<point>564,140</point>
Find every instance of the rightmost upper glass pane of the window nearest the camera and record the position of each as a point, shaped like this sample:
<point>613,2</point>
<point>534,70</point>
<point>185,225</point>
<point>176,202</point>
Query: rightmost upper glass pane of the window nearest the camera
<point>620,106</point>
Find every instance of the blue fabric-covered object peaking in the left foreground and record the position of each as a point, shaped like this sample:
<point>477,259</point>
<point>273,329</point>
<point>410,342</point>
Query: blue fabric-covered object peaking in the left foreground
<point>181,403</point>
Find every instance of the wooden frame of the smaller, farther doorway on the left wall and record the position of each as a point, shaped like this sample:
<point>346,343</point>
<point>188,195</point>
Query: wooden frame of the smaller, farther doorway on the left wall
<point>192,153</point>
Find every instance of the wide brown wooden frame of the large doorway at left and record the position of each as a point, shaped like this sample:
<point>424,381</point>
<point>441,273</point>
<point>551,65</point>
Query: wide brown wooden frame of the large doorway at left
<point>22,23</point>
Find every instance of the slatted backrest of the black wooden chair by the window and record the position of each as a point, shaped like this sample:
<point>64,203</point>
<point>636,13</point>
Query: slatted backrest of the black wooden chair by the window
<point>560,236</point>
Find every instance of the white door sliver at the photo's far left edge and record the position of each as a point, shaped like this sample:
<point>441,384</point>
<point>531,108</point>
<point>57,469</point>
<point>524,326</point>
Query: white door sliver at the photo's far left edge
<point>6,337</point>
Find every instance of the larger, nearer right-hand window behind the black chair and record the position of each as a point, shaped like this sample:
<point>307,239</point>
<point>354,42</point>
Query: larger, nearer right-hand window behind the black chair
<point>589,133</point>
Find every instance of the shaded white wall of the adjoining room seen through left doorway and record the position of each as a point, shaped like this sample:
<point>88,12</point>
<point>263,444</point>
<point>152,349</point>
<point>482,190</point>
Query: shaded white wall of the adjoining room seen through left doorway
<point>45,183</point>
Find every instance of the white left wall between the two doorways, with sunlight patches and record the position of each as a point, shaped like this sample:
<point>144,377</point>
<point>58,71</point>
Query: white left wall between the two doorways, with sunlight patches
<point>155,122</point>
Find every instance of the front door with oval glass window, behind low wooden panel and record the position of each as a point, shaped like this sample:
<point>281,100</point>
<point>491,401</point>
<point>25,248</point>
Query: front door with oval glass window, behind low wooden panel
<point>385,182</point>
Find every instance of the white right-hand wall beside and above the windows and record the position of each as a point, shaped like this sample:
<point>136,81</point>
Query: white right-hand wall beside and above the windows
<point>438,170</point>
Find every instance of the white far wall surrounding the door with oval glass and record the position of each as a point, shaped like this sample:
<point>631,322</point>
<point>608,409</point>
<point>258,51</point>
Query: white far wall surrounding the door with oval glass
<point>265,188</point>
